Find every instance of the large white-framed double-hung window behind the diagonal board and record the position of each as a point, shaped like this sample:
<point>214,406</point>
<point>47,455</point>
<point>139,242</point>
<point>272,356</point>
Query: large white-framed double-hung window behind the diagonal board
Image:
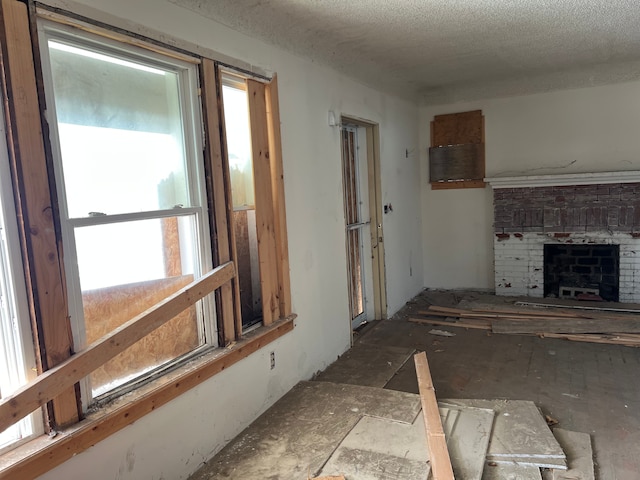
<point>132,199</point>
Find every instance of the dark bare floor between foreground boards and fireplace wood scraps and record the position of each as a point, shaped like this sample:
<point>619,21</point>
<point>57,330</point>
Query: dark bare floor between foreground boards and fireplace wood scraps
<point>588,388</point>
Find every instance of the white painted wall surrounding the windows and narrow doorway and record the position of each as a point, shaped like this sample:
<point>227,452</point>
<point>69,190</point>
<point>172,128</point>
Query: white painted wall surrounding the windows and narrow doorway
<point>172,442</point>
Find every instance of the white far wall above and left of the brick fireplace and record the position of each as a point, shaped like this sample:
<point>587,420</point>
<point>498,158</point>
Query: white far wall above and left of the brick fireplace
<point>572,131</point>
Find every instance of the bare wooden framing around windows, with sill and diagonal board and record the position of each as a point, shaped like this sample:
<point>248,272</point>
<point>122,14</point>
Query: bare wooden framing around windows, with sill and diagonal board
<point>41,243</point>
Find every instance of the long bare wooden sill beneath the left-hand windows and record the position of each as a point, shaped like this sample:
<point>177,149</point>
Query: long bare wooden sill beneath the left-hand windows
<point>42,454</point>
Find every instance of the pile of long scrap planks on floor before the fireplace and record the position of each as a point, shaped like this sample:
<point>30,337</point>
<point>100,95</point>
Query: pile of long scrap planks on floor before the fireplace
<point>582,324</point>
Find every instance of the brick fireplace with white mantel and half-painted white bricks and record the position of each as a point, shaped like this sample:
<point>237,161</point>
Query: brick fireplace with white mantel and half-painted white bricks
<point>591,221</point>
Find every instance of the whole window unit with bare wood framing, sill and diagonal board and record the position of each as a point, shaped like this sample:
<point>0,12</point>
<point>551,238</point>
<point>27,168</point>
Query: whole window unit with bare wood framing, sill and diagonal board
<point>135,203</point>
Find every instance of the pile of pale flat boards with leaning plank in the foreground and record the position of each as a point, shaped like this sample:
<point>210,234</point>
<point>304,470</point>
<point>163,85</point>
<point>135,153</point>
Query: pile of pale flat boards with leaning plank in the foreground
<point>497,439</point>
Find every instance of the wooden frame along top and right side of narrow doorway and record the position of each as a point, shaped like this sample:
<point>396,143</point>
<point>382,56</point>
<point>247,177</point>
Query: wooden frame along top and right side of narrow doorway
<point>374,188</point>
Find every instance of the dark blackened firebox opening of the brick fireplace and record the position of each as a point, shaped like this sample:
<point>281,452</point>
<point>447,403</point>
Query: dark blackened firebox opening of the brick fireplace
<point>571,270</point>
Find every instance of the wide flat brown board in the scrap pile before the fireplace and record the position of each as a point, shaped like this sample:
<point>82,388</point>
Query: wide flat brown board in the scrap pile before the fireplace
<point>543,325</point>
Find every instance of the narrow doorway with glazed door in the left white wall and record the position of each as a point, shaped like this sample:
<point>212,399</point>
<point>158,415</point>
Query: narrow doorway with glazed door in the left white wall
<point>363,221</point>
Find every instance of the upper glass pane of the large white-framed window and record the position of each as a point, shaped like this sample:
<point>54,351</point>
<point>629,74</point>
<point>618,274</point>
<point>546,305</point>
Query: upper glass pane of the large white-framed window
<point>120,132</point>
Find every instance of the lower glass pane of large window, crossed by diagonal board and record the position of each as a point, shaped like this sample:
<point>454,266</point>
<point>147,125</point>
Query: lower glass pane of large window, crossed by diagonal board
<point>126,268</point>
